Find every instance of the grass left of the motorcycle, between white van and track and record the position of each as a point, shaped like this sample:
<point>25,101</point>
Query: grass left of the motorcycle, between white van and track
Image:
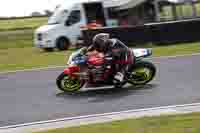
<point>24,58</point>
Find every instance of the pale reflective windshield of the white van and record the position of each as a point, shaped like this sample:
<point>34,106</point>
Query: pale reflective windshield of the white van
<point>57,17</point>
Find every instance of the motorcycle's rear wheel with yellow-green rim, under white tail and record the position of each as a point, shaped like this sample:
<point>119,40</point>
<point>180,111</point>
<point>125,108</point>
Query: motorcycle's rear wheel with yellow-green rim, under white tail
<point>142,73</point>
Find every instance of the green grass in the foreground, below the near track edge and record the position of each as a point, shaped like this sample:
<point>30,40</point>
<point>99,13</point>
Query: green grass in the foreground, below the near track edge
<point>164,124</point>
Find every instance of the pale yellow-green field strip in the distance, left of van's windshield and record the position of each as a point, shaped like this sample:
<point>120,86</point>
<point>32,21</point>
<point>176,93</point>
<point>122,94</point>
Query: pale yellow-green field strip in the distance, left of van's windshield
<point>26,23</point>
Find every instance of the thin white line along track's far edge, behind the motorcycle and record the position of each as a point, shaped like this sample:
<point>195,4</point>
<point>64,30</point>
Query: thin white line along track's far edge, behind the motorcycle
<point>54,67</point>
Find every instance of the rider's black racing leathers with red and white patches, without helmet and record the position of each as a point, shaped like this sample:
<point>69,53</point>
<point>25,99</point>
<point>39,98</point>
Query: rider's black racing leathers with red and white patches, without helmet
<point>120,54</point>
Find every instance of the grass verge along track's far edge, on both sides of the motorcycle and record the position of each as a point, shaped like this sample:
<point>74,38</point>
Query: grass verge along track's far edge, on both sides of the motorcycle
<point>28,57</point>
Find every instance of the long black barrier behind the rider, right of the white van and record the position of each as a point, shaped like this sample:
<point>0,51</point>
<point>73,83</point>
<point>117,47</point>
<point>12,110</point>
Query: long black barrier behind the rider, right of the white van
<point>157,33</point>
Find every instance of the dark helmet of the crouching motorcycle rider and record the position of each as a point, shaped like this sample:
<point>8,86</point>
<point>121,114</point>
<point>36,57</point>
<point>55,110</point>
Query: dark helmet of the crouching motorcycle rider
<point>100,40</point>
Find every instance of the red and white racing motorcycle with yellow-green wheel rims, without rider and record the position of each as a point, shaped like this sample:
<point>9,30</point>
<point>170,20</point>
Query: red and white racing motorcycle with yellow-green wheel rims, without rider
<point>95,72</point>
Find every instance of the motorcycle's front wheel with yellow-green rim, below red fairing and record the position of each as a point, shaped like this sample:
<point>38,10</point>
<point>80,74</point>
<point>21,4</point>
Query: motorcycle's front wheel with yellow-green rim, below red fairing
<point>67,84</point>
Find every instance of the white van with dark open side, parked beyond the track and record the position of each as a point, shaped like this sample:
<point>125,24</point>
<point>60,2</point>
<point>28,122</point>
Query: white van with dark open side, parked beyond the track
<point>63,28</point>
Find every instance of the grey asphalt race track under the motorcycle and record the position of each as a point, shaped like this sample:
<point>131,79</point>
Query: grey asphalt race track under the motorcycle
<point>33,96</point>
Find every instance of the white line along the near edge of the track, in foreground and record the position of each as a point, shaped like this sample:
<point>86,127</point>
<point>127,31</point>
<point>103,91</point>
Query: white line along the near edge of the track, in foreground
<point>186,108</point>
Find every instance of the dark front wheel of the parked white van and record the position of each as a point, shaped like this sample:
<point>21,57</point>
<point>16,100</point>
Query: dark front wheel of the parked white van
<point>63,43</point>
